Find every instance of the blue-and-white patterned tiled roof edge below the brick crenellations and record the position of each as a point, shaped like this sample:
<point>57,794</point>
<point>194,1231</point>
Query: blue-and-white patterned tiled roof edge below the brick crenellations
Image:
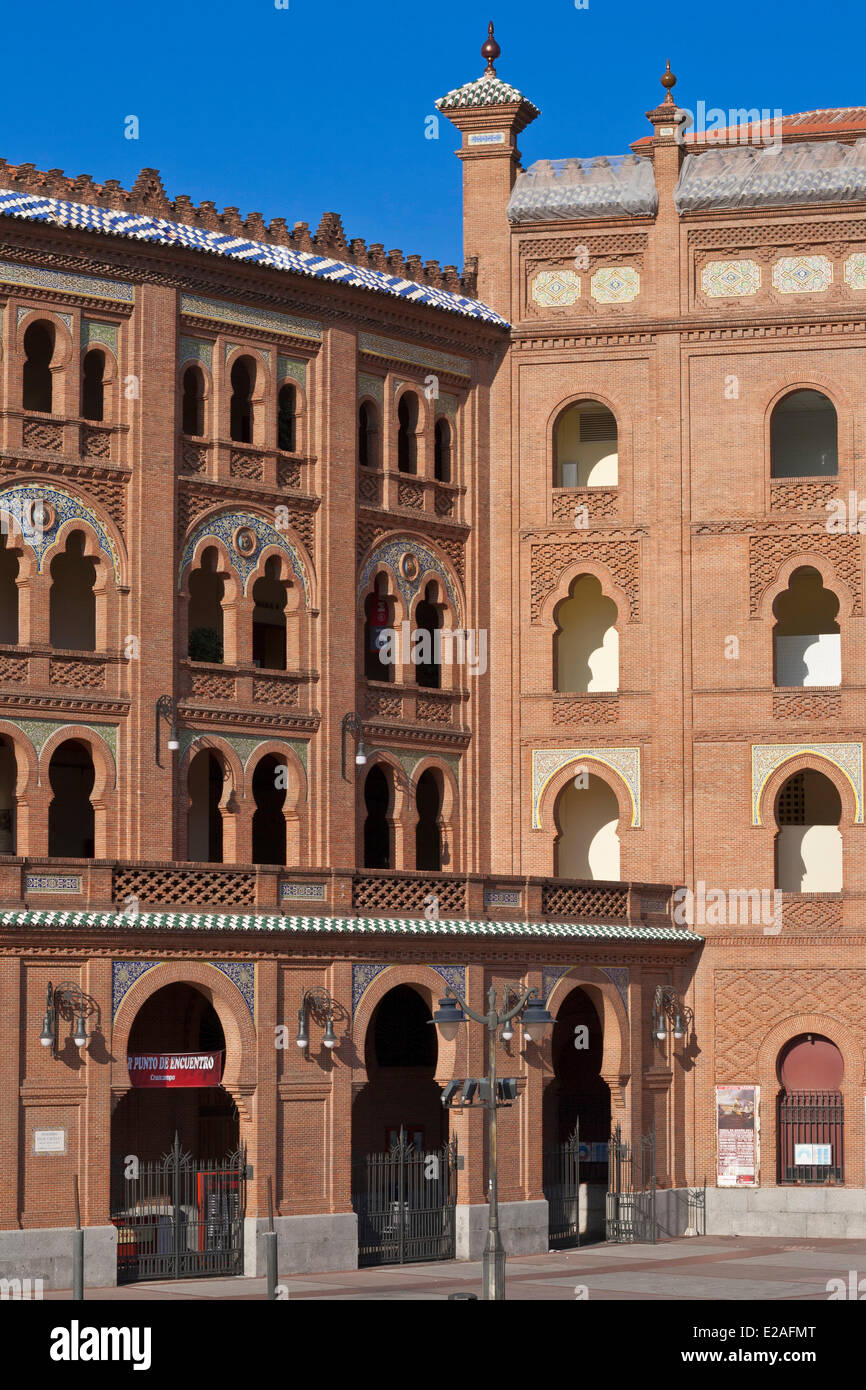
<point>140,227</point>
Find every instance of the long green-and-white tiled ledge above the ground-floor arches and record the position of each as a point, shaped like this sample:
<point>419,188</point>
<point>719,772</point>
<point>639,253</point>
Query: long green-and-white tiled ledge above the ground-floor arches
<point>63,919</point>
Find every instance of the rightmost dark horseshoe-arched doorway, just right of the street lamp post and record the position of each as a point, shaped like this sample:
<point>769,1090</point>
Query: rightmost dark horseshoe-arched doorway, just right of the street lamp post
<point>576,1124</point>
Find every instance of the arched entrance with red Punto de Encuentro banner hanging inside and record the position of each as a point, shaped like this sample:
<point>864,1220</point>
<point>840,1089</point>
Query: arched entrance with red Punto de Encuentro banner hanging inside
<point>179,1174</point>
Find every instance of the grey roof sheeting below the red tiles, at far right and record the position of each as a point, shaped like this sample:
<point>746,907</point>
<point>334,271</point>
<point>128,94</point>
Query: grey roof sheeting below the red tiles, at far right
<point>778,176</point>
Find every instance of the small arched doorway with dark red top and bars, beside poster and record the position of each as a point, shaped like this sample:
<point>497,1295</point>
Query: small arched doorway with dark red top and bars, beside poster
<point>811,1113</point>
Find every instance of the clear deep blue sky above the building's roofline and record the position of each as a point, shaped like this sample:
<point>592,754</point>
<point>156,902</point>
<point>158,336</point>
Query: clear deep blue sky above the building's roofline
<point>323,106</point>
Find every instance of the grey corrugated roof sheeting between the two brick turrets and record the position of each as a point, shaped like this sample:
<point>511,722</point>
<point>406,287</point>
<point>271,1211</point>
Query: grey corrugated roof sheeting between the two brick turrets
<point>557,191</point>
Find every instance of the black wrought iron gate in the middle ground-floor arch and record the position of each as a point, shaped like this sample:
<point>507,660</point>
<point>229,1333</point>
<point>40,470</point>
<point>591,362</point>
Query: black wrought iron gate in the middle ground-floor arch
<point>407,1204</point>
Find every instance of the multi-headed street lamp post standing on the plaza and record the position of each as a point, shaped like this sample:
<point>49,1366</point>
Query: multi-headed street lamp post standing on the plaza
<point>536,1020</point>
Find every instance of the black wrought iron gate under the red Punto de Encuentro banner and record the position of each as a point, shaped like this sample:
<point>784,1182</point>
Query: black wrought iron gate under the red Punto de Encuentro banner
<point>180,1218</point>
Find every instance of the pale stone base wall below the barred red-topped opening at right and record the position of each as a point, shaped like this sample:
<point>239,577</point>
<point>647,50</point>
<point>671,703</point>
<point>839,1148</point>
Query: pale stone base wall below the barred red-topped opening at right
<point>829,1213</point>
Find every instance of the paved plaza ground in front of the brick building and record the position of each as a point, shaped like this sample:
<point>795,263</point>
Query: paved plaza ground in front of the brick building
<point>718,1268</point>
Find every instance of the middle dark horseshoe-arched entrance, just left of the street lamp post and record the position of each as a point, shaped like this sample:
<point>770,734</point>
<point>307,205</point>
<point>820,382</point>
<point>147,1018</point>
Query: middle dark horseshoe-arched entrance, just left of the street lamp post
<point>405,1172</point>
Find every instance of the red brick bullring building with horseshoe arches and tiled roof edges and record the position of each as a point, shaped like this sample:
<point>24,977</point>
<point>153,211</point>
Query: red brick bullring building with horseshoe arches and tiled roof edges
<point>373,630</point>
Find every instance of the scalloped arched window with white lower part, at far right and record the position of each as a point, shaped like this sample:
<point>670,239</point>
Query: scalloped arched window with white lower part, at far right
<point>807,640</point>
